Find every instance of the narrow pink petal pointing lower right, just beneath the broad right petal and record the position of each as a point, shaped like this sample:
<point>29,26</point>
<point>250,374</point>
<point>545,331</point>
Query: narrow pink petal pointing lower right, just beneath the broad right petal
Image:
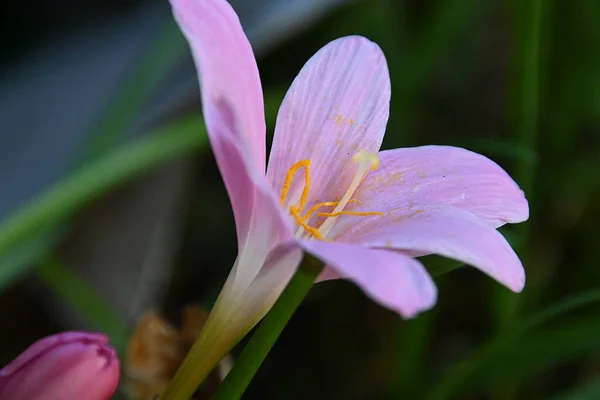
<point>445,230</point>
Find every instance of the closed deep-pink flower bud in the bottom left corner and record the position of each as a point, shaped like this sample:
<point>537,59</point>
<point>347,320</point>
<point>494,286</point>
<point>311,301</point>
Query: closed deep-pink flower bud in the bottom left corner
<point>66,366</point>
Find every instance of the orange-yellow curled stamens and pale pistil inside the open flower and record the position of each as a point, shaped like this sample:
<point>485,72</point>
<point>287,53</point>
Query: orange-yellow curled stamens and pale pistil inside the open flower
<point>366,161</point>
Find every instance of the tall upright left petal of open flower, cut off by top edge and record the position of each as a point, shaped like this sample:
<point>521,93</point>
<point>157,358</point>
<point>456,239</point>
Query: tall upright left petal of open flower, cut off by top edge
<point>232,100</point>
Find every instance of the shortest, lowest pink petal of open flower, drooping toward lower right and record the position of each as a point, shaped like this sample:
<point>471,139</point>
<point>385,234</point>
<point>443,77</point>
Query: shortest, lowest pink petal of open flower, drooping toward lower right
<point>392,279</point>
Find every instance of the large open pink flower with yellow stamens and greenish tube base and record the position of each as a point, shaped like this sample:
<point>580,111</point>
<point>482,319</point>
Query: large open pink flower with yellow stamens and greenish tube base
<point>328,190</point>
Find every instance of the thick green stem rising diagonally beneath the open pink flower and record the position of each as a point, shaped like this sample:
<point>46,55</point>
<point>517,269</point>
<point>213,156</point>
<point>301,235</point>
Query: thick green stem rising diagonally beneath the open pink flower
<point>267,333</point>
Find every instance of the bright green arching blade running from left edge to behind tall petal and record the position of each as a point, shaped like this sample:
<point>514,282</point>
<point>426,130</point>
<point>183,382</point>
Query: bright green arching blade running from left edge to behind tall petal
<point>61,201</point>
